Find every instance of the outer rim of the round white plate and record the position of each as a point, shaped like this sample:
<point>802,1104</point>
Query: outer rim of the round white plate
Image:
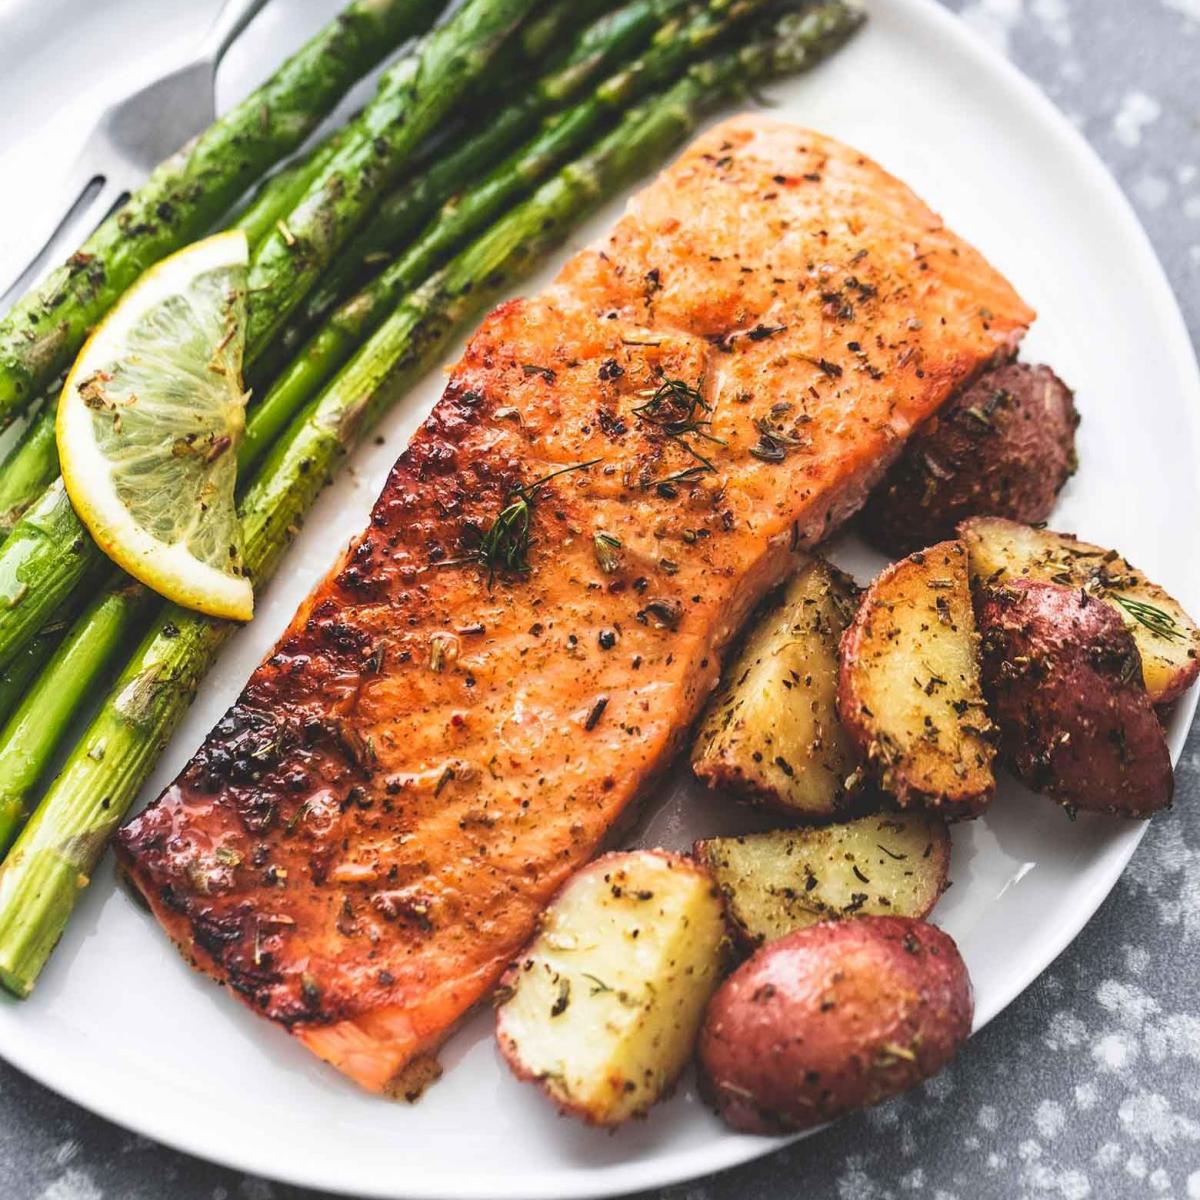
<point>680,1167</point>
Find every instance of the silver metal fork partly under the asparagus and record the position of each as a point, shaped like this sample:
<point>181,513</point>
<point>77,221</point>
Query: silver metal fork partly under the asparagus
<point>130,140</point>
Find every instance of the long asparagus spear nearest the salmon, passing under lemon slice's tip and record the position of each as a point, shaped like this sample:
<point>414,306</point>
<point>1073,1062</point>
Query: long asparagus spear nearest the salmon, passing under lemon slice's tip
<point>58,850</point>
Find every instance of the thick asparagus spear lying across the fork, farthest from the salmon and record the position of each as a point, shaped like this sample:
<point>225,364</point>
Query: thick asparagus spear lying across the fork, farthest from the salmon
<point>189,193</point>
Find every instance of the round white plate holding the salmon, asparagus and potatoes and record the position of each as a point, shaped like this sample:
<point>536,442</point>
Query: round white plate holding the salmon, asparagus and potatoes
<point>122,1025</point>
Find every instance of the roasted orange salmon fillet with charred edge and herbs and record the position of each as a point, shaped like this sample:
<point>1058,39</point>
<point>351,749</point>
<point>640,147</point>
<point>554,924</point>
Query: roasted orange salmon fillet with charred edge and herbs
<point>368,837</point>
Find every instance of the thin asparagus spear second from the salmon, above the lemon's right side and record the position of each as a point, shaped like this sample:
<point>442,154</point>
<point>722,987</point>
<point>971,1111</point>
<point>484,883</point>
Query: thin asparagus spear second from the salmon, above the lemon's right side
<point>676,40</point>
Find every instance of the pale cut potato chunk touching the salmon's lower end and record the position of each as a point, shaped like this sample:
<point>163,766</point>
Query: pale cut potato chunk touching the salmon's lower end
<point>604,1006</point>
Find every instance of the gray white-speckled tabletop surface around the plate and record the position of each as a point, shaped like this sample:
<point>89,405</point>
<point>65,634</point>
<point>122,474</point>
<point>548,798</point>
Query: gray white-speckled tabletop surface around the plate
<point>1089,1085</point>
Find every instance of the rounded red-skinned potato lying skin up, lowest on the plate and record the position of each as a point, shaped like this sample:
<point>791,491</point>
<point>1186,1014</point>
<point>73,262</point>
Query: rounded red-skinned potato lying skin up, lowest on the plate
<point>833,1018</point>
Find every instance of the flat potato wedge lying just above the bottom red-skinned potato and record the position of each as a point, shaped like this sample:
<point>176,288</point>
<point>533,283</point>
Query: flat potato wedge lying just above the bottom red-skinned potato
<point>773,884</point>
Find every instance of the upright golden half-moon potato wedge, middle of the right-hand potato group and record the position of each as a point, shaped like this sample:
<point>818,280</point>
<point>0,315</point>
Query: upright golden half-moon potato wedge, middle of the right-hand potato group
<point>909,687</point>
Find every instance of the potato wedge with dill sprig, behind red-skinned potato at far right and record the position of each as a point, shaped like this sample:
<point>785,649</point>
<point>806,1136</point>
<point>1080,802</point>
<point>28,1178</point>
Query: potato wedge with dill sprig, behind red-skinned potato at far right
<point>1167,638</point>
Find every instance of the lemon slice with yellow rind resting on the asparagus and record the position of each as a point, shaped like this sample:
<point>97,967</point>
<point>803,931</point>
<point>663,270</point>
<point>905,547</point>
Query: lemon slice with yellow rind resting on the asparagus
<point>149,424</point>
